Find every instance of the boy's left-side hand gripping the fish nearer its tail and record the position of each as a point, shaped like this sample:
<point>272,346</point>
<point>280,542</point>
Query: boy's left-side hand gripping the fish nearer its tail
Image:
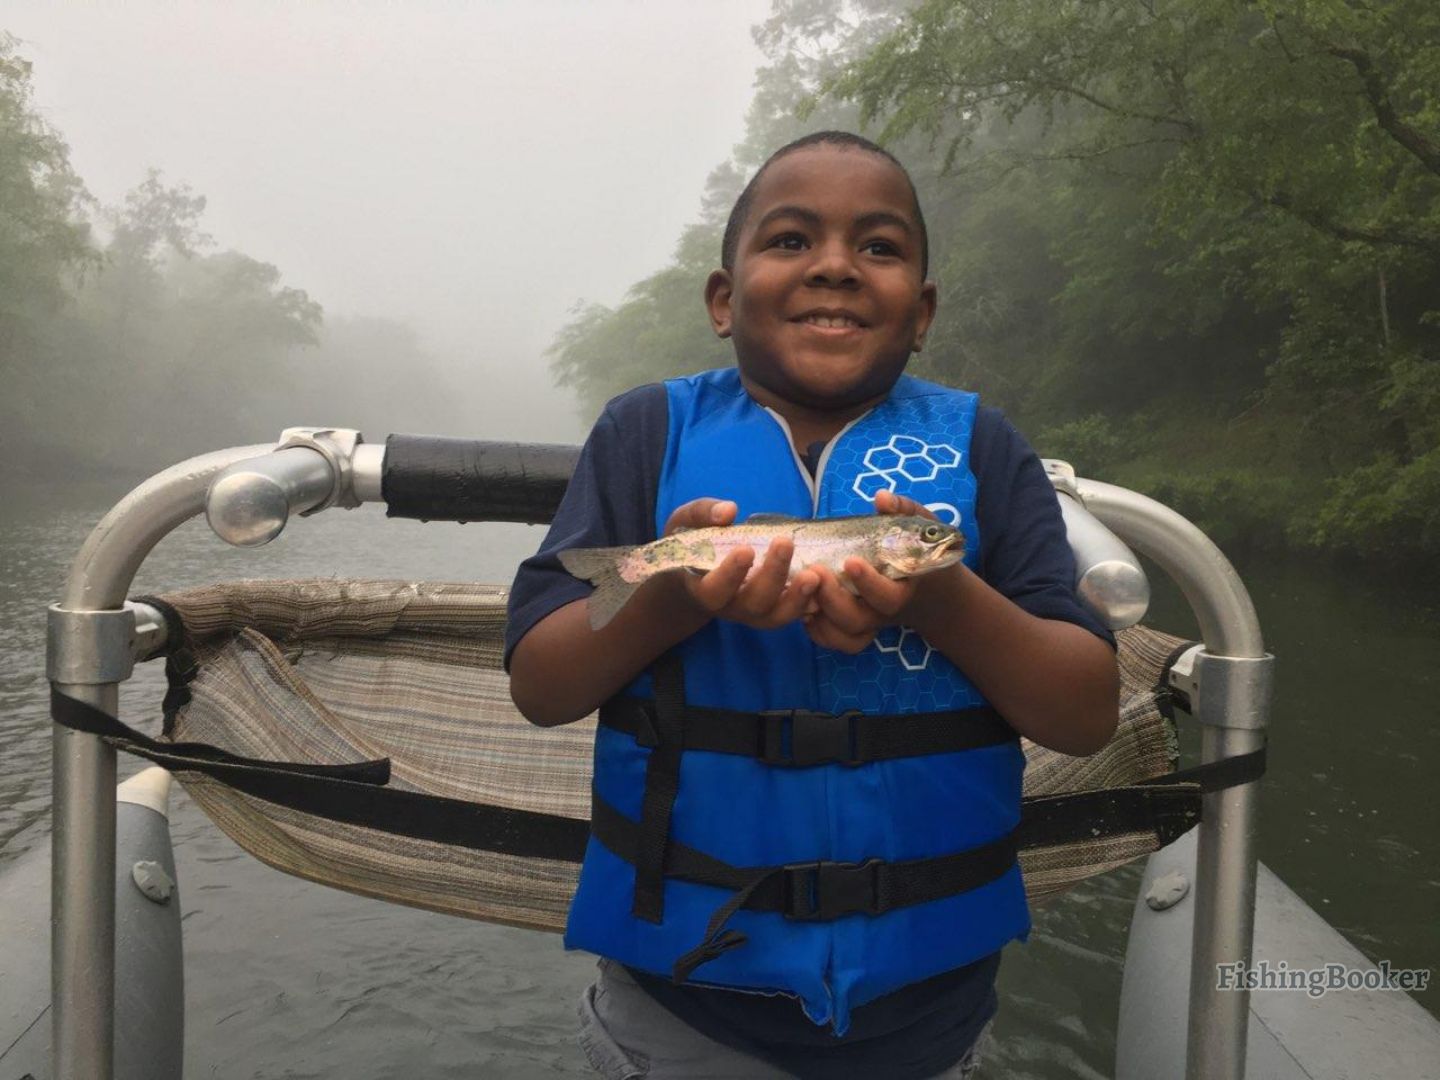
<point>762,600</point>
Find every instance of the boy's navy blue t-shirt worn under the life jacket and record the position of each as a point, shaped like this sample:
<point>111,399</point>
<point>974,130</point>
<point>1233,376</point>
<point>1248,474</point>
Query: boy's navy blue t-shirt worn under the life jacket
<point>918,1030</point>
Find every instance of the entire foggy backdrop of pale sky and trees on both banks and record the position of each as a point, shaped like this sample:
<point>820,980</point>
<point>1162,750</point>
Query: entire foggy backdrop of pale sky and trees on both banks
<point>1194,248</point>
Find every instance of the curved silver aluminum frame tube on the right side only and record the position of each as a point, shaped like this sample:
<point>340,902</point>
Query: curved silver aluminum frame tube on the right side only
<point>1226,862</point>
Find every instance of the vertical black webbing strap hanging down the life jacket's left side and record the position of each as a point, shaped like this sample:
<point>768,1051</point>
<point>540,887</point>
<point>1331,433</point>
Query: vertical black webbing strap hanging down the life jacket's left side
<point>666,739</point>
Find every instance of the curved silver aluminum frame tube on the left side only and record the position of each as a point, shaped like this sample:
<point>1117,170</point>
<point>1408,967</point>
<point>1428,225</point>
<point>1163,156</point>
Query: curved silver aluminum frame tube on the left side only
<point>83,839</point>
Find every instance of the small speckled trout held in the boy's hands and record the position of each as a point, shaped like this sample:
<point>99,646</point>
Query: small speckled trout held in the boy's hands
<point>898,546</point>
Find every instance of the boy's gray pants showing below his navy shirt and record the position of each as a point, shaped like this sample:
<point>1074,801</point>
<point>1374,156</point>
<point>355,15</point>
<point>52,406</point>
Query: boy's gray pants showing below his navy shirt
<point>629,1036</point>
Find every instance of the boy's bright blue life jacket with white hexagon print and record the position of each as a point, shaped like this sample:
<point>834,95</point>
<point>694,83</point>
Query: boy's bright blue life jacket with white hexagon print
<point>751,814</point>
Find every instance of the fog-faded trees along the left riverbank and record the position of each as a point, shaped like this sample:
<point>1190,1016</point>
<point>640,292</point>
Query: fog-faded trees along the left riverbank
<point>129,339</point>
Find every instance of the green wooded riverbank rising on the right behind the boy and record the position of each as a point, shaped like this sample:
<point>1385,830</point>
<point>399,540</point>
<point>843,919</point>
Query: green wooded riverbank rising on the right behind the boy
<point>1192,247</point>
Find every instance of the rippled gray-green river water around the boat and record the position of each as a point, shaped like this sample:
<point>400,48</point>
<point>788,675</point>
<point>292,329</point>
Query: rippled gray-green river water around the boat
<point>292,980</point>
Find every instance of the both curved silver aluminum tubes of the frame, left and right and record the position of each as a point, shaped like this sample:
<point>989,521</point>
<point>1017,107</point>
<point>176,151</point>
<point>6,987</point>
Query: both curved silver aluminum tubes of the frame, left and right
<point>84,830</point>
